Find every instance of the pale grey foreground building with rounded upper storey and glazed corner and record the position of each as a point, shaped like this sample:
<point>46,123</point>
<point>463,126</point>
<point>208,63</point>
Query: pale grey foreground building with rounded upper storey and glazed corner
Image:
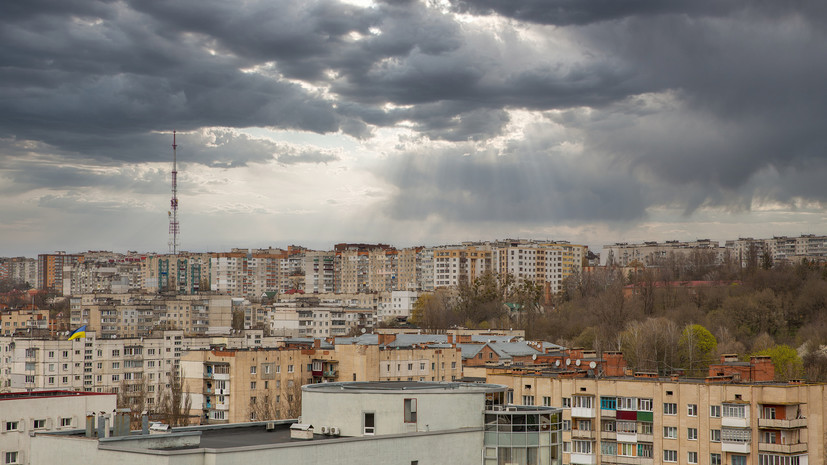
<point>343,424</point>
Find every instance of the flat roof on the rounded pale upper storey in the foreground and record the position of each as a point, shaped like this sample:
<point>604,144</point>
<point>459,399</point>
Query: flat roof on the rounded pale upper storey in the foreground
<point>393,386</point>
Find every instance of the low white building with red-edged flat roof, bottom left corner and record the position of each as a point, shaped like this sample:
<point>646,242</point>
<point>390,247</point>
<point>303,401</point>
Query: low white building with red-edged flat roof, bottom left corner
<point>25,414</point>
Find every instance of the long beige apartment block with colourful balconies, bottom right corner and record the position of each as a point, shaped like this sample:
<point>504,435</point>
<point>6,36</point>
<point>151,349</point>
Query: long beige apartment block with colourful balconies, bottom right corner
<point>649,420</point>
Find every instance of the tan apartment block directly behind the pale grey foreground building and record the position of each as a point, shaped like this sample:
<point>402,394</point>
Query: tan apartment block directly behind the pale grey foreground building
<point>229,386</point>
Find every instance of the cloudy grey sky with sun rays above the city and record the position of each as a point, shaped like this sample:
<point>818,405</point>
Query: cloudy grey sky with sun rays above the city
<point>409,122</point>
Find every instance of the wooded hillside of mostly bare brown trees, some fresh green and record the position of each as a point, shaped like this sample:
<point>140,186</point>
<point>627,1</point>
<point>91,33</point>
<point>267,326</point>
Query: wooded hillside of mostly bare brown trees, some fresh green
<point>659,323</point>
